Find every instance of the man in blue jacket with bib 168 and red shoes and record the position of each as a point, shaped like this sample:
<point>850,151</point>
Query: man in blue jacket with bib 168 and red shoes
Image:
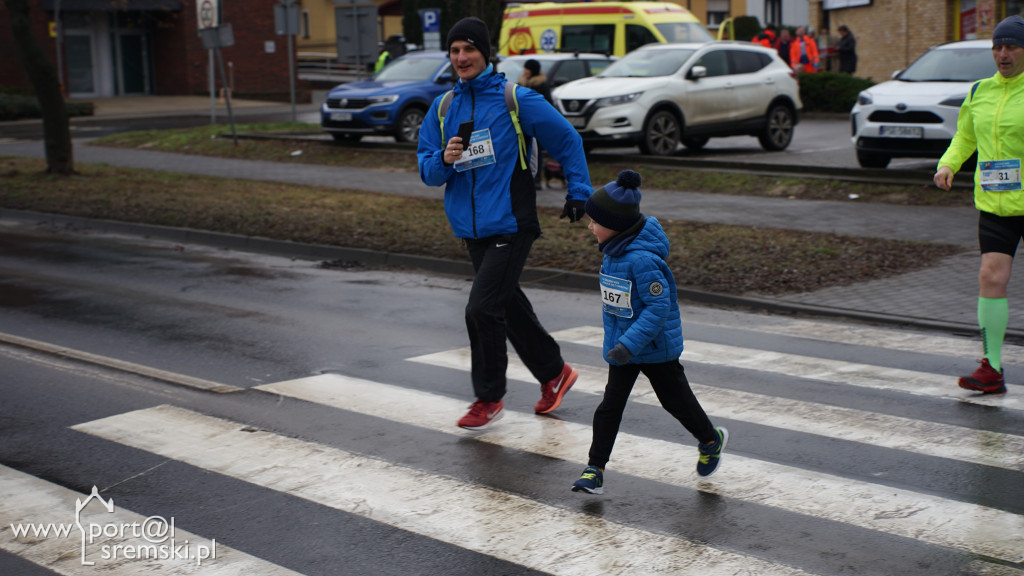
<point>491,203</point>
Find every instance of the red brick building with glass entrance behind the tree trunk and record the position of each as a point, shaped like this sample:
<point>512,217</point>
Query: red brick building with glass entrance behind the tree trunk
<point>136,48</point>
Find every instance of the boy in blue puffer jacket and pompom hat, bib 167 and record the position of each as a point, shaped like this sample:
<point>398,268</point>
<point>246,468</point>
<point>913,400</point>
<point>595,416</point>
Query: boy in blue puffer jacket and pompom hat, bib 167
<point>643,328</point>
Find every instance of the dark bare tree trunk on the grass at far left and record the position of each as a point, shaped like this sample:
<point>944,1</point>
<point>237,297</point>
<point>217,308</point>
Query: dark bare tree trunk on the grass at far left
<point>57,130</point>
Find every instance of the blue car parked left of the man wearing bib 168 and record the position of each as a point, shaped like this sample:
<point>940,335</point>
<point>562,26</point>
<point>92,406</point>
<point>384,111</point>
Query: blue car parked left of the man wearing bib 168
<point>394,103</point>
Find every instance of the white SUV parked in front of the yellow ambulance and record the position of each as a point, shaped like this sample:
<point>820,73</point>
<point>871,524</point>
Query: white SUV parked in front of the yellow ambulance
<point>661,96</point>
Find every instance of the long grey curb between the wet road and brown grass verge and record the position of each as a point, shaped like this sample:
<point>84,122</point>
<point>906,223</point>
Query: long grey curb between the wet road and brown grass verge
<point>549,278</point>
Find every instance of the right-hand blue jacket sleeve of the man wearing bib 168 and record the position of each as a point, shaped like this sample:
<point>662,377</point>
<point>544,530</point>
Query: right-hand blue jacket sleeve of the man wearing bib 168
<point>539,119</point>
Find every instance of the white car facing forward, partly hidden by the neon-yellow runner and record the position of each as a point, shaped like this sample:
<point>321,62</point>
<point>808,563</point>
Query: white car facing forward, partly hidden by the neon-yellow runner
<point>915,114</point>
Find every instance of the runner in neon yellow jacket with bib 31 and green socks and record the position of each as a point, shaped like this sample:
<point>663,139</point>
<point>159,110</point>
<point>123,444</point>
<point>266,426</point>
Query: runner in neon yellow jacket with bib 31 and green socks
<point>992,119</point>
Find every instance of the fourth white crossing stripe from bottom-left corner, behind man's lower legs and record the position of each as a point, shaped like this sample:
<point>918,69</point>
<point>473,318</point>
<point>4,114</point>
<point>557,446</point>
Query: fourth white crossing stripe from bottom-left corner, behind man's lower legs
<point>929,439</point>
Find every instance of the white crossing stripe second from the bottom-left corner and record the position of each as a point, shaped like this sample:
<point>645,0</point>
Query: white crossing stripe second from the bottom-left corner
<point>477,518</point>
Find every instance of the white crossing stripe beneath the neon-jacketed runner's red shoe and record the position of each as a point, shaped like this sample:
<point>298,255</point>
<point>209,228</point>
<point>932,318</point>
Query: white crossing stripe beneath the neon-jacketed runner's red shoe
<point>856,375</point>
